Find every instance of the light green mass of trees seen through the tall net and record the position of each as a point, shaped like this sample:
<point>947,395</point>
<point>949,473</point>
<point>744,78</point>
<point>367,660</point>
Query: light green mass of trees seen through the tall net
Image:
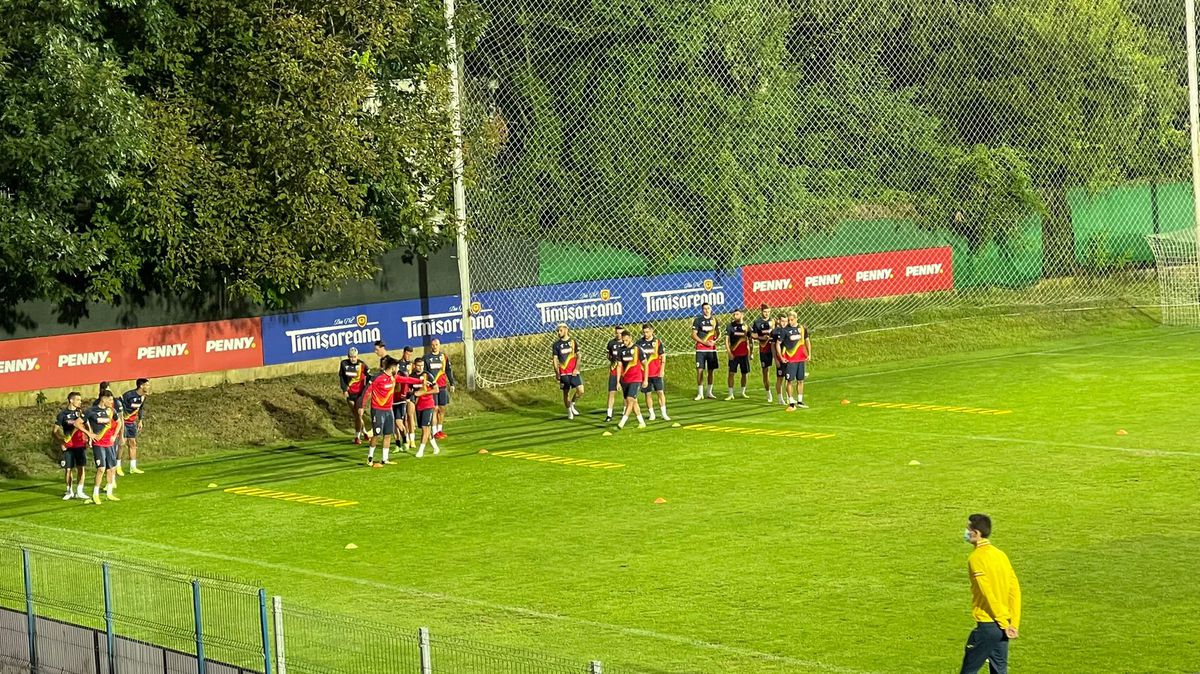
<point>716,124</point>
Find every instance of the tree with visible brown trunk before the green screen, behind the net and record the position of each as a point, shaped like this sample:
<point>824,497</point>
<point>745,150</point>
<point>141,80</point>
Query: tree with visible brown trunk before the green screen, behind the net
<point>1075,87</point>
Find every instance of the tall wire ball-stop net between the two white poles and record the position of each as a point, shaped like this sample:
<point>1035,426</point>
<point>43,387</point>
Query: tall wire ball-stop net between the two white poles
<point>866,163</point>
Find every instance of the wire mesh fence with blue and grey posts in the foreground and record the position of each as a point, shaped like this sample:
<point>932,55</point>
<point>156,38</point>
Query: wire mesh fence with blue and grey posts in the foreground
<point>73,612</point>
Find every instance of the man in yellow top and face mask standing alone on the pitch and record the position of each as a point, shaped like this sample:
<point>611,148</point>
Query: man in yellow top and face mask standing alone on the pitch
<point>995,601</point>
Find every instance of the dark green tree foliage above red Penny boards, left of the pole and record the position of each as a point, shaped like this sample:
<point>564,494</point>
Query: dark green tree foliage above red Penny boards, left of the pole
<point>253,148</point>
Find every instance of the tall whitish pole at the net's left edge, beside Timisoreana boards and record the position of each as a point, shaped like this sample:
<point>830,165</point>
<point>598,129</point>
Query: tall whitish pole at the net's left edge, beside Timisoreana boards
<point>460,197</point>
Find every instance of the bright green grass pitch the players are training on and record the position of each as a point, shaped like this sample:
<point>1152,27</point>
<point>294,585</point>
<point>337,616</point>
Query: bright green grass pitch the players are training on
<point>772,555</point>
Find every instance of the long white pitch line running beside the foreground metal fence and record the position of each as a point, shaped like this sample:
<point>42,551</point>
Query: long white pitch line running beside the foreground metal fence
<point>425,594</point>
